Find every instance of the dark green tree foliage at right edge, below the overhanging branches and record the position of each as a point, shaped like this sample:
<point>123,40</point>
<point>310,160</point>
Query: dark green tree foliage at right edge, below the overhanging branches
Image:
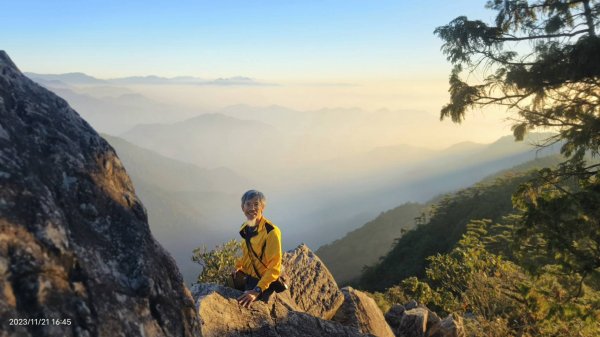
<point>565,222</point>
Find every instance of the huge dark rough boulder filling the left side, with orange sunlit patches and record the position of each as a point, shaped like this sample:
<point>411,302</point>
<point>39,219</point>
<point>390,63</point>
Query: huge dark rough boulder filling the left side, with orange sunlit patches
<point>76,252</point>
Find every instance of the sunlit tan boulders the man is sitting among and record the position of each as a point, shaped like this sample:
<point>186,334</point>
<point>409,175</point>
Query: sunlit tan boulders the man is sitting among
<point>303,311</point>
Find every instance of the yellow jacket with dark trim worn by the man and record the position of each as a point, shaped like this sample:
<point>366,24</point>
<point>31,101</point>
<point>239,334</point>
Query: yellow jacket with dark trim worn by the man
<point>266,243</point>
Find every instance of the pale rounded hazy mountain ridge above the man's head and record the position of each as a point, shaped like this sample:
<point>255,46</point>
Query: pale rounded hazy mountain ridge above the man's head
<point>212,140</point>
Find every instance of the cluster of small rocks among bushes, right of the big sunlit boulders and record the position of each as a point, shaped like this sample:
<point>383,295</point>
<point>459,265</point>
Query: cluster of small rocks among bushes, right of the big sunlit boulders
<point>414,320</point>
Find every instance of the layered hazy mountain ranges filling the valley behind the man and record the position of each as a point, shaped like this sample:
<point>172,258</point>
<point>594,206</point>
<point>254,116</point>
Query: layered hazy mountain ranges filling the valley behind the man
<point>325,172</point>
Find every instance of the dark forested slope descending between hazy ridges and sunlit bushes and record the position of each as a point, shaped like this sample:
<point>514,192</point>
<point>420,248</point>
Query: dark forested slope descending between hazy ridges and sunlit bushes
<point>447,222</point>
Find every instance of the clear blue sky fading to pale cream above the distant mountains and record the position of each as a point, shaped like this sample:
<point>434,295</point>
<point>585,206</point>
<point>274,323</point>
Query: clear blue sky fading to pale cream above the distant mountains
<point>271,40</point>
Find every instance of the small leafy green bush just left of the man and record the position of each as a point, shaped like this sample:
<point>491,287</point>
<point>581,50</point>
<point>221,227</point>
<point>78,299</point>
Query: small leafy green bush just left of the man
<point>219,263</point>
